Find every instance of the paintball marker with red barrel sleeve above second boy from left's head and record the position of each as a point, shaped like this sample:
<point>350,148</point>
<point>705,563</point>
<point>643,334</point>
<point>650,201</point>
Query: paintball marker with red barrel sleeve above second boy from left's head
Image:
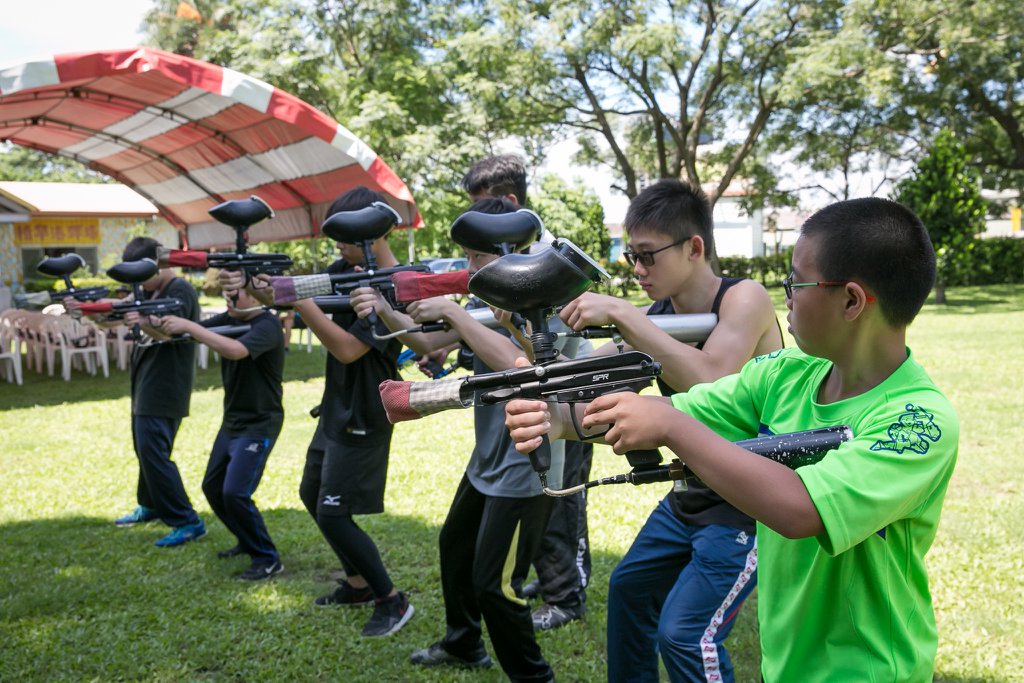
<point>240,216</point>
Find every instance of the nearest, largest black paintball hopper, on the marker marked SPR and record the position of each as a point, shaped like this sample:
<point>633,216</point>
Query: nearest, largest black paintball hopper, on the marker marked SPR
<point>546,280</point>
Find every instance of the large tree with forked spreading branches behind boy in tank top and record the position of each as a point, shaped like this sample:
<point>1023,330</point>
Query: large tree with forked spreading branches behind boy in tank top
<point>656,89</point>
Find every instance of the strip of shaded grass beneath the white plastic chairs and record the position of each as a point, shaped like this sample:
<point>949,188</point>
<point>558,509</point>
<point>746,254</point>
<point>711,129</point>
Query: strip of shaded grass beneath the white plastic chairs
<point>40,390</point>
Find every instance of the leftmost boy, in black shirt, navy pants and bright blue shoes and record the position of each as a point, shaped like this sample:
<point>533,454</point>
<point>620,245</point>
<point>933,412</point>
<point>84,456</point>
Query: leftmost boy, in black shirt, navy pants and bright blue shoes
<point>161,389</point>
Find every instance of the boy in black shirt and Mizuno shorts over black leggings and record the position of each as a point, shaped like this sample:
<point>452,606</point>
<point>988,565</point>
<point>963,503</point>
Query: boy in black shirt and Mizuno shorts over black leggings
<point>347,463</point>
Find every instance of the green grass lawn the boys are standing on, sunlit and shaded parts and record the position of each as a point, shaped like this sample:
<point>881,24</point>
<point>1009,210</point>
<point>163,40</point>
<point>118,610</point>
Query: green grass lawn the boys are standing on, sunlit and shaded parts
<point>82,601</point>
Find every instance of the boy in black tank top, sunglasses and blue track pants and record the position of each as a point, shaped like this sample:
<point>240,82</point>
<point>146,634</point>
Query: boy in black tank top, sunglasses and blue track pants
<point>679,587</point>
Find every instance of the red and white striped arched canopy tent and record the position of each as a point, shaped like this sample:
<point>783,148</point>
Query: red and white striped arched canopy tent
<point>188,136</point>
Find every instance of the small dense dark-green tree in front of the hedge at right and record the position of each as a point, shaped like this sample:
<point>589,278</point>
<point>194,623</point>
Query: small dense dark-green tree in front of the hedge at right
<point>946,193</point>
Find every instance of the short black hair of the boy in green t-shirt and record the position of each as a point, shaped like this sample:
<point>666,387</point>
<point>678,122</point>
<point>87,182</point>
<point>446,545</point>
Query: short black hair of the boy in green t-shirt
<point>880,244</point>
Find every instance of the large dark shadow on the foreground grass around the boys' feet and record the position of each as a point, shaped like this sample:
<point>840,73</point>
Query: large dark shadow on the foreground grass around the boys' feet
<point>81,600</point>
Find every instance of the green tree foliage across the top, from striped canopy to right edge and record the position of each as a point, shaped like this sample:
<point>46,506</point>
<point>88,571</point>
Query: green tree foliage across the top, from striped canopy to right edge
<point>781,95</point>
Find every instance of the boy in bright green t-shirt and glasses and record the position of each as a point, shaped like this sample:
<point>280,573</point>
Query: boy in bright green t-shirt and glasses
<point>843,586</point>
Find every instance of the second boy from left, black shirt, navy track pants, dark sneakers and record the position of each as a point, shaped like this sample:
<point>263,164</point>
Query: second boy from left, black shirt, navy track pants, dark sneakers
<point>251,369</point>
